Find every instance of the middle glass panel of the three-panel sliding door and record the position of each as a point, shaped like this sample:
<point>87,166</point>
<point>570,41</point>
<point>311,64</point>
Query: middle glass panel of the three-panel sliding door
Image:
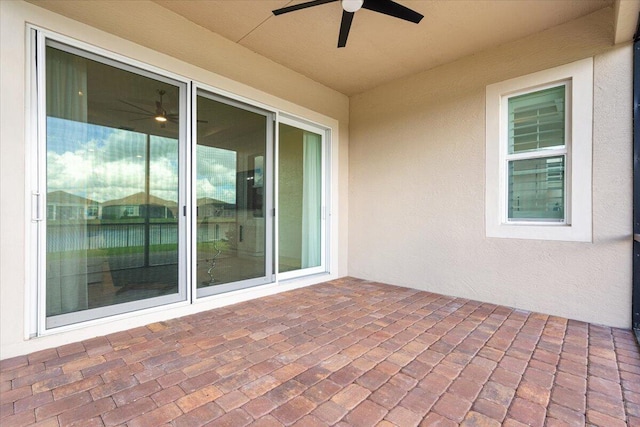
<point>233,236</point>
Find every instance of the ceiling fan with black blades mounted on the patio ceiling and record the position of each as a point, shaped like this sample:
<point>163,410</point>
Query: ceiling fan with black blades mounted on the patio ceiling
<point>350,7</point>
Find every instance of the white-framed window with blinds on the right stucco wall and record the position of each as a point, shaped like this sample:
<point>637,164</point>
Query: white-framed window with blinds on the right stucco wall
<point>538,151</point>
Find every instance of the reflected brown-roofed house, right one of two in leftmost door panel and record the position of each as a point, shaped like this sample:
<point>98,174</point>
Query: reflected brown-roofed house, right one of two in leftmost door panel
<point>135,206</point>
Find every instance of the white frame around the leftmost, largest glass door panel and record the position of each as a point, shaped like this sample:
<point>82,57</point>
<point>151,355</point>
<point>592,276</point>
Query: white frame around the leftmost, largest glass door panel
<point>45,325</point>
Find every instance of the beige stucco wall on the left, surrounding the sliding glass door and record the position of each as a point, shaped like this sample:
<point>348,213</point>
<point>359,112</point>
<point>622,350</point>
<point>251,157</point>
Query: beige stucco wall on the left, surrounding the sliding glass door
<point>131,31</point>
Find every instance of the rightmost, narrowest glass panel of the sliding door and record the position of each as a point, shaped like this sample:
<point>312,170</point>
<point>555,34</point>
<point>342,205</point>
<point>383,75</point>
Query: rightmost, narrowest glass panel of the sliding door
<point>300,200</point>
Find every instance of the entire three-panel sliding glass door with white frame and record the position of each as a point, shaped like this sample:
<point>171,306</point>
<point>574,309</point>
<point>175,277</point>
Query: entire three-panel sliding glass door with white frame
<point>148,193</point>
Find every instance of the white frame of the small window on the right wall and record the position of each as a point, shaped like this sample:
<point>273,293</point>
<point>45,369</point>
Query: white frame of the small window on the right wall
<point>577,225</point>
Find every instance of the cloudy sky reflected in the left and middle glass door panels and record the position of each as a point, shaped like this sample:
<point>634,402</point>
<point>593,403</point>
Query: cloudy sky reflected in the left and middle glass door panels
<point>102,164</point>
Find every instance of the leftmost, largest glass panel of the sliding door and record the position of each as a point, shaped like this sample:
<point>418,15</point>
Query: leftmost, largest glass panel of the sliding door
<point>112,188</point>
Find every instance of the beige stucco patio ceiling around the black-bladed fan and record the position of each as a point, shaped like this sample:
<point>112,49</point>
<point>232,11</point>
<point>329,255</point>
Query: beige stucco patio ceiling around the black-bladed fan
<point>380,48</point>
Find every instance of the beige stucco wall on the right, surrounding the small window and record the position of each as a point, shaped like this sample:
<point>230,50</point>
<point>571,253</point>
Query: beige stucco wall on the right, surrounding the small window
<point>417,184</point>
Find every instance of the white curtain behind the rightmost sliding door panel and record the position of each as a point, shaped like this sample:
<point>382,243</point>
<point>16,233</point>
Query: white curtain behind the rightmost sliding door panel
<point>311,200</point>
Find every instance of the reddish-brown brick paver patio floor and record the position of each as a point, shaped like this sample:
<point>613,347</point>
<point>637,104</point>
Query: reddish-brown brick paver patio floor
<point>347,352</point>
